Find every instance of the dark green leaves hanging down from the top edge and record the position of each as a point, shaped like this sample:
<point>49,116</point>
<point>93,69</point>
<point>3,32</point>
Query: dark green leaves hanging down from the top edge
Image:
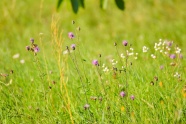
<point>103,4</point>
